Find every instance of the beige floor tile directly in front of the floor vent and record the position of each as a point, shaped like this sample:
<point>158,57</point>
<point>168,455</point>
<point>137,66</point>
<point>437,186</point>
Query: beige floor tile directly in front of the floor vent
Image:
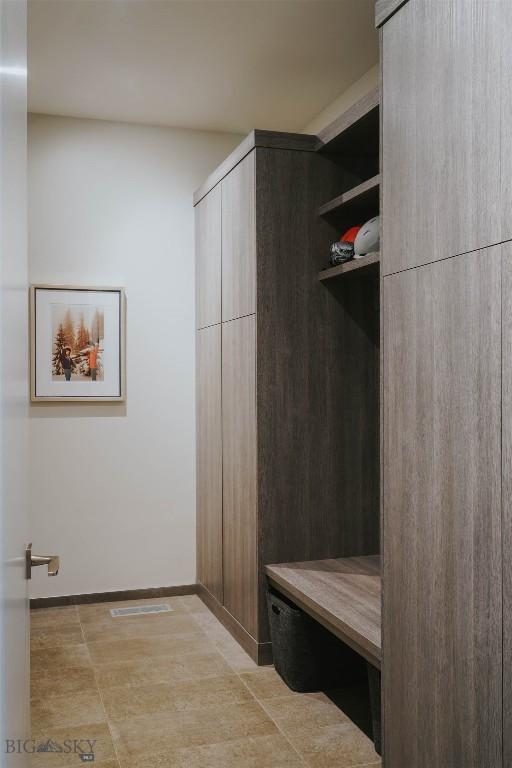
<point>131,627</point>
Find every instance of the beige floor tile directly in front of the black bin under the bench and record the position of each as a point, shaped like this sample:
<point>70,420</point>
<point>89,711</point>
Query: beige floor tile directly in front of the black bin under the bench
<point>303,713</point>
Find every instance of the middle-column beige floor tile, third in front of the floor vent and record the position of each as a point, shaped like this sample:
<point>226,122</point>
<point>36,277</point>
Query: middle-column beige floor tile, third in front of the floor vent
<point>163,669</point>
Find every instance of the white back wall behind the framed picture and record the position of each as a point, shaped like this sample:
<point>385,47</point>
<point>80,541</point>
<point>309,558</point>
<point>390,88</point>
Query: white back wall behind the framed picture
<point>112,487</point>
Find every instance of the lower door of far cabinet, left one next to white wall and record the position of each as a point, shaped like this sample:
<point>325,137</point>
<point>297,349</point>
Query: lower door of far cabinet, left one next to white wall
<point>209,460</point>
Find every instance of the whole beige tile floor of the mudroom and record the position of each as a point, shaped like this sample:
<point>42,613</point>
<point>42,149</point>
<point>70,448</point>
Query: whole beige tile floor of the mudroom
<point>174,690</point>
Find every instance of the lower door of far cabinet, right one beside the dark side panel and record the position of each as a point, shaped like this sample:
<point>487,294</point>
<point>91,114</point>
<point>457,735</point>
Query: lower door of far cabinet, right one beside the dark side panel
<point>239,470</point>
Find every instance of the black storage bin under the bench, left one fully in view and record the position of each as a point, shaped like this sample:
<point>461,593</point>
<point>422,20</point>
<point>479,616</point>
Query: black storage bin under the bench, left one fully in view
<point>306,655</point>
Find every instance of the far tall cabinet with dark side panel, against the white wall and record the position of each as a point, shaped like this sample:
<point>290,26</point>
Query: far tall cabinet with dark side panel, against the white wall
<point>285,356</point>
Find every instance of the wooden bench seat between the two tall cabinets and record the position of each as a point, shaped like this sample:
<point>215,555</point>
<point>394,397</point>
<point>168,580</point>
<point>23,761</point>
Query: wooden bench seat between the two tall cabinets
<point>344,595</point>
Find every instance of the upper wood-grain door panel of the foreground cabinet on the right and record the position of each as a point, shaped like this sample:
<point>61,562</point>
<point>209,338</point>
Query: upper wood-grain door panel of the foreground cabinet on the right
<point>441,130</point>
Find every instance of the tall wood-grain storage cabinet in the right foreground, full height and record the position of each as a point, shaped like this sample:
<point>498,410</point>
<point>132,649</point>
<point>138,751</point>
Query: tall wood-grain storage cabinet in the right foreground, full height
<point>447,427</point>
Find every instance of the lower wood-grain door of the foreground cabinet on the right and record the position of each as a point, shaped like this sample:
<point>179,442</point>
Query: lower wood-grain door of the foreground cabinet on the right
<point>442,578</point>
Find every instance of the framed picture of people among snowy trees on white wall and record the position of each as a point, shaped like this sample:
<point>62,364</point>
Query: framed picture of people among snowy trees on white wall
<point>77,343</point>
